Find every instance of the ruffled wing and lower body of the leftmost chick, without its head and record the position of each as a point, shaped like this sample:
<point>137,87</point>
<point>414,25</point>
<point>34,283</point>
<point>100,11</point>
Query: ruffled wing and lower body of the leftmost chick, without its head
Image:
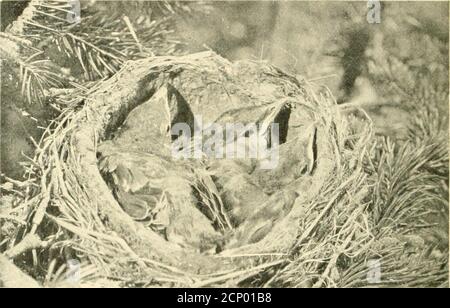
<point>157,192</point>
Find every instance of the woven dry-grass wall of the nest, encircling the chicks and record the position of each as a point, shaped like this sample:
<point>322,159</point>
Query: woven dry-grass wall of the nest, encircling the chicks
<point>324,241</point>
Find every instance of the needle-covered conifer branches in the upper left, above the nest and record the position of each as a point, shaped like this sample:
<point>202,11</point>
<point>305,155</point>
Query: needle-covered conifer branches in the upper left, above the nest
<point>98,45</point>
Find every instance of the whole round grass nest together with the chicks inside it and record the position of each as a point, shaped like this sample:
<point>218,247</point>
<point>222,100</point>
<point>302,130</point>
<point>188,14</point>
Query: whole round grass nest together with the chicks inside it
<point>291,225</point>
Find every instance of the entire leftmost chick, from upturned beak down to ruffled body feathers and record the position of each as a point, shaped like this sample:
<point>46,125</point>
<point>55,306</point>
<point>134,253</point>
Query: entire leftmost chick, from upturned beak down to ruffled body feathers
<point>147,183</point>
